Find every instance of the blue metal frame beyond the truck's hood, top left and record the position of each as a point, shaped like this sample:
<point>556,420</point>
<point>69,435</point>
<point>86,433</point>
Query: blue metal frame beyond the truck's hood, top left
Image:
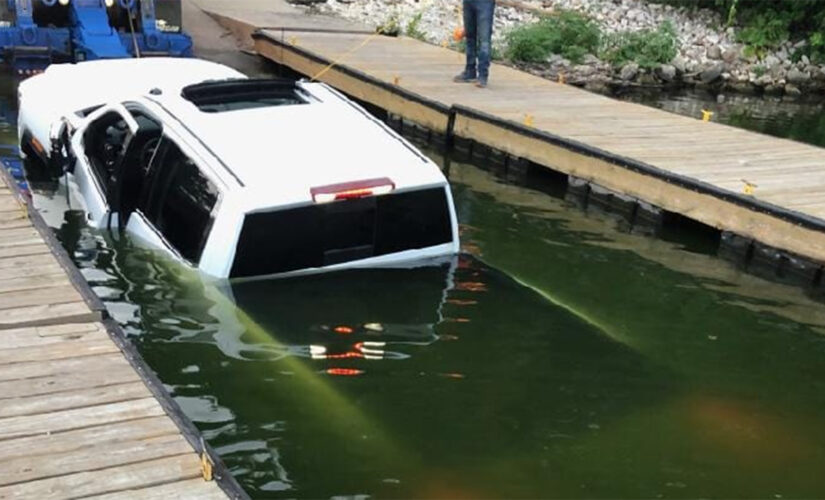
<point>29,47</point>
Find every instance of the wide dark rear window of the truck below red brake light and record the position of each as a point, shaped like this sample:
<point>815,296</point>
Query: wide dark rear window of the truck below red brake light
<point>331,233</point>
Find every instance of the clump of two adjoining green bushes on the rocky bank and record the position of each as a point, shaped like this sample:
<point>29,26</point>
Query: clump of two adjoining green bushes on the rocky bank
<point>573,35</point>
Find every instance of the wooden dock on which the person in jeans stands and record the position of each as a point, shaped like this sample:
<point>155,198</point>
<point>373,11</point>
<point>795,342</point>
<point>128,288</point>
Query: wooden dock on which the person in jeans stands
<point>761,188</point>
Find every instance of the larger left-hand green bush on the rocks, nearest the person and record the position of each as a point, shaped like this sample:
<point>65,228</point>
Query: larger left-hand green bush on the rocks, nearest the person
<point>569,34</point>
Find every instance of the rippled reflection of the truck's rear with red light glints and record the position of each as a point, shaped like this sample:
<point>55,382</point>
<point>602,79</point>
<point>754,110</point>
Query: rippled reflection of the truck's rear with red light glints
<point>340,318</point>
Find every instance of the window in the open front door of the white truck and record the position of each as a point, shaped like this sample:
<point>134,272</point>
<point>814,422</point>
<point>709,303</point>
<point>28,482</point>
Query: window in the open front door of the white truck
<point>103,143</point>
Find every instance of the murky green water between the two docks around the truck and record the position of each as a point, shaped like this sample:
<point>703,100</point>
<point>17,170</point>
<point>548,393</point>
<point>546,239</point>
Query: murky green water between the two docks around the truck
<point>557,357</point>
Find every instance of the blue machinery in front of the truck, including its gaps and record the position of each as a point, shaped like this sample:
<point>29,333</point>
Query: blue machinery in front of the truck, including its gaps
<point>36,33</point>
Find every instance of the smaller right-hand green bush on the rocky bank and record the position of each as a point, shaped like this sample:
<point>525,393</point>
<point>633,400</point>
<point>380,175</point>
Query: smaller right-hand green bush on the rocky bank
<point>647,48</point>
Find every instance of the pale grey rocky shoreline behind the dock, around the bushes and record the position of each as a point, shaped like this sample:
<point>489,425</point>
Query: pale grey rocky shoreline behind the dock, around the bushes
<point>709,55</point>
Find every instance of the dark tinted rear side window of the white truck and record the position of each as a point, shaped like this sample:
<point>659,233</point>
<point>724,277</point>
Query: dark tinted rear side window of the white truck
<point>180,201</point>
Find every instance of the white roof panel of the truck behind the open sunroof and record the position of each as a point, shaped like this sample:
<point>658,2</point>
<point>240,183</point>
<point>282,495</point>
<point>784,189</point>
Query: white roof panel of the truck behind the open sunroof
<point>278,152</point>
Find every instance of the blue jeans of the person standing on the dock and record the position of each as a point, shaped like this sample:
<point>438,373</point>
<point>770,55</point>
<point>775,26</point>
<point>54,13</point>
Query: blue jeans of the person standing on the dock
<point>478,29</point>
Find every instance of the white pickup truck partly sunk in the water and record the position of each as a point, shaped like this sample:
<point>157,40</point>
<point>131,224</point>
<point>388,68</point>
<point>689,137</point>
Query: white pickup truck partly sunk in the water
<point>234,176</point>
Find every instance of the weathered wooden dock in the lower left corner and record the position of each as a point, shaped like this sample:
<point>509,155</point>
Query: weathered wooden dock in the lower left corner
<point>80,414</point>
